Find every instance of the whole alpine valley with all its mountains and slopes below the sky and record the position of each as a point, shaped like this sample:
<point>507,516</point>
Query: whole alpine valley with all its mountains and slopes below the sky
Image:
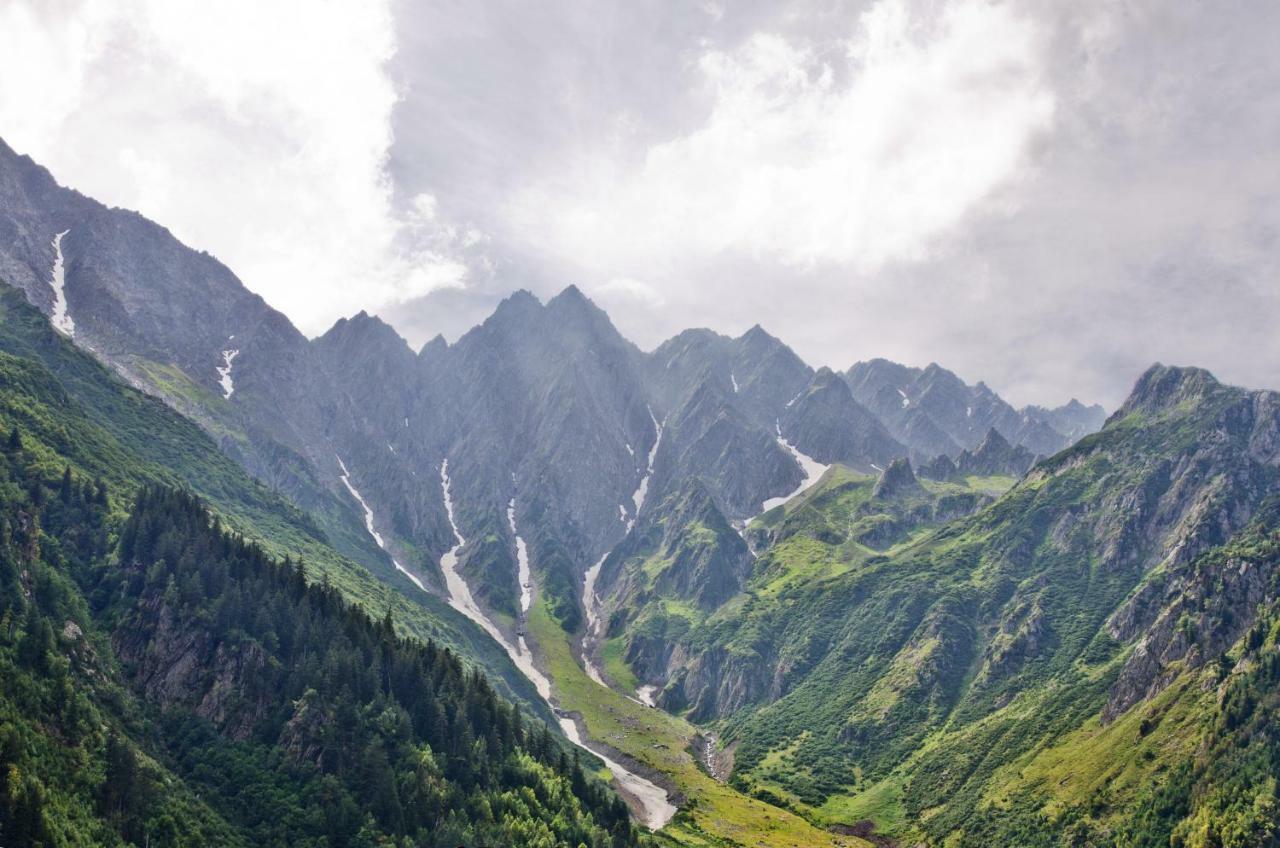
<point>541,587</point>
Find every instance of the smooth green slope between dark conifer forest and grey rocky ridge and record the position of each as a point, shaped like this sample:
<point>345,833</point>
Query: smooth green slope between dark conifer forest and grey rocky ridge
<point>76,413</point>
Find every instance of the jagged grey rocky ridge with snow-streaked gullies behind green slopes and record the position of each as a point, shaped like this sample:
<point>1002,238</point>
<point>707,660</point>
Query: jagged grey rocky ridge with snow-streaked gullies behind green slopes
<point>545,408</point>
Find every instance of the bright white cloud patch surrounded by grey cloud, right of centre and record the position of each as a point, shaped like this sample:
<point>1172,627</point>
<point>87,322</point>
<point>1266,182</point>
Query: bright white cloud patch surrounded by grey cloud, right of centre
<point>858,159</point>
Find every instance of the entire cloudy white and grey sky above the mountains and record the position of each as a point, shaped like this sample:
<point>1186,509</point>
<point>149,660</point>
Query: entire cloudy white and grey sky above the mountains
<point>1048,197</point>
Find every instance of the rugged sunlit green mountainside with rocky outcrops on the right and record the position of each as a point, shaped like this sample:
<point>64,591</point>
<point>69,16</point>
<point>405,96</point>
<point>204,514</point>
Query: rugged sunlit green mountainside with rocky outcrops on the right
<point>1003,676</point>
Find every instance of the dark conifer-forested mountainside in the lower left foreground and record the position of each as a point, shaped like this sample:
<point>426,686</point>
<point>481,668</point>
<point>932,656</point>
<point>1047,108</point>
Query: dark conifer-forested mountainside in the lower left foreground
<point>185,689</point>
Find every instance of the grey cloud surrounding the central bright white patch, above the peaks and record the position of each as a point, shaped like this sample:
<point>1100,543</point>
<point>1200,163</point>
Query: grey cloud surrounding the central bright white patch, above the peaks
<point>1141,225</point>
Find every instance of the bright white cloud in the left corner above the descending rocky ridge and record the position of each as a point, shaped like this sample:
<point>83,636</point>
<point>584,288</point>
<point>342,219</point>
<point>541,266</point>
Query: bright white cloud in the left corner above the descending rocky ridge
<point>255,130</point>
